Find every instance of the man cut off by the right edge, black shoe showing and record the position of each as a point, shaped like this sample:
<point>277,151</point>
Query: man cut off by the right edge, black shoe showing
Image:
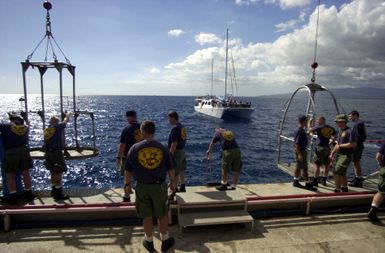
<point>380,195</point>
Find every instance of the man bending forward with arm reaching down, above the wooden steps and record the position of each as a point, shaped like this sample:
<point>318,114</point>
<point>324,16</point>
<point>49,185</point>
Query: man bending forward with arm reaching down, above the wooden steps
<point>231,156</point>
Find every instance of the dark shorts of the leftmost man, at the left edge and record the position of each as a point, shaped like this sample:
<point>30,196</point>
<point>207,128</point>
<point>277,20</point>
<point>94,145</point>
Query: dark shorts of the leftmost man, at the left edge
<point>17,159</point>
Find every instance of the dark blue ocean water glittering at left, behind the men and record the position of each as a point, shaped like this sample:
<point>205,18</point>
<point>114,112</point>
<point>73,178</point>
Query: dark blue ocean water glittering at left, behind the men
<point>257,137</point>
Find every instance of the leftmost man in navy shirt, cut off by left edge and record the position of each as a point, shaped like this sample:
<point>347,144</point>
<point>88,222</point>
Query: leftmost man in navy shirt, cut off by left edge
<point>17,156</point>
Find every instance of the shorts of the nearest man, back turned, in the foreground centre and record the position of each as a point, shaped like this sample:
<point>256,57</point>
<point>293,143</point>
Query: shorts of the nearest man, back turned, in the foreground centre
<point>151,200</point>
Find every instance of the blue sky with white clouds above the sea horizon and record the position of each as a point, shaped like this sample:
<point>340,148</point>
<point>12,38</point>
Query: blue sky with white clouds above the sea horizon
<point>165,47</point>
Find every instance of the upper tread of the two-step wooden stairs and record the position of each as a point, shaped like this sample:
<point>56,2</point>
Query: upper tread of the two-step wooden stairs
<point>207,197</point>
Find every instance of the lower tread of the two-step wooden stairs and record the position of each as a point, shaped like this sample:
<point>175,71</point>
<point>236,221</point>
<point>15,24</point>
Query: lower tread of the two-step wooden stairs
<point>214,218</point>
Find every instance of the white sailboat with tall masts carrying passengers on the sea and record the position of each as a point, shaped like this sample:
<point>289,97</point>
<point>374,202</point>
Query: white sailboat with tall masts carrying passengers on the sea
<point>226,107</point>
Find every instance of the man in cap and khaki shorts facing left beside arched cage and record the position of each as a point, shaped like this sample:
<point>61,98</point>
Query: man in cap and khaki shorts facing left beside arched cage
<point>346,142</point>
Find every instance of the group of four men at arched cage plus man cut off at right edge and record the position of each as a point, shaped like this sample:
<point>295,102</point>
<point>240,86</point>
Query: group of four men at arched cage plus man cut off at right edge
<point>337,149</point>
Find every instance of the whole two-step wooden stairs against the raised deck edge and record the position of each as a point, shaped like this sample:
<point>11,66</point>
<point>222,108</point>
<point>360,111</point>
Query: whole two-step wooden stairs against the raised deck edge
<point>202,208</point>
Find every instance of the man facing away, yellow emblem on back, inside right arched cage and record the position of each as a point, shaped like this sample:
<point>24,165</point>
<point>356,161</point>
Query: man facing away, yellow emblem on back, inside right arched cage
<point>322,151</point>
